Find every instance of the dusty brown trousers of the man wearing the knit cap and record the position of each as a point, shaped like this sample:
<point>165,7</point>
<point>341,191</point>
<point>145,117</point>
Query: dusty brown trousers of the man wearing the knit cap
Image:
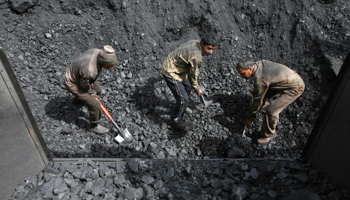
<point>94,107</point>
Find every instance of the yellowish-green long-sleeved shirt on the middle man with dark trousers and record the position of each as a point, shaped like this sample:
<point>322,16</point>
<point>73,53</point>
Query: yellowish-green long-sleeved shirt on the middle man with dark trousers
<point>184,63</point>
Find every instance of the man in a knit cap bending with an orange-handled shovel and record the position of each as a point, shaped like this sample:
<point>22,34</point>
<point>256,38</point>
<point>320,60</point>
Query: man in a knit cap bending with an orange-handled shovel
<point>80,80</point>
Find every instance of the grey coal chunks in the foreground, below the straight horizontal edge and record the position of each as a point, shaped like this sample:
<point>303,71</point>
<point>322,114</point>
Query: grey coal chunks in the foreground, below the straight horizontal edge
<point>179,179</point>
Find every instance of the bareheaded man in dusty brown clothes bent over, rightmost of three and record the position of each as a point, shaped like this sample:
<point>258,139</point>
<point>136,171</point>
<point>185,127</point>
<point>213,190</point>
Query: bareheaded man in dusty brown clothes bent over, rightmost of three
<point>270,79</point>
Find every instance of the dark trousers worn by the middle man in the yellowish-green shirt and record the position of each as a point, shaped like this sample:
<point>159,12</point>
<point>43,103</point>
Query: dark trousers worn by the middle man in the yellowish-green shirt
<point>181,92</point>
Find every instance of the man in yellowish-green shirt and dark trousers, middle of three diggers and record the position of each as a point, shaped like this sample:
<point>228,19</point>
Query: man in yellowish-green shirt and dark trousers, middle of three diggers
<point>180,71</point>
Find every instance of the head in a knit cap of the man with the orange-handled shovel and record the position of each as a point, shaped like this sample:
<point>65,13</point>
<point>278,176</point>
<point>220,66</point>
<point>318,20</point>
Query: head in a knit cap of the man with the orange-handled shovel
<point>107,57</point>
